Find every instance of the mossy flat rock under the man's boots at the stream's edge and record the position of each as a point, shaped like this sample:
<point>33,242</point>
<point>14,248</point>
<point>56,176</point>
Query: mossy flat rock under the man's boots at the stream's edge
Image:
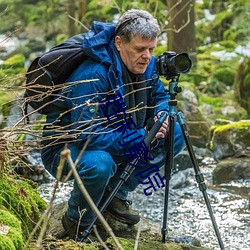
<point>149,238</point>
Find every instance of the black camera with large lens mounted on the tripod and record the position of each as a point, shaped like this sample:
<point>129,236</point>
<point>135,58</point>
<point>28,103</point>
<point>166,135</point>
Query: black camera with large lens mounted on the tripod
<point>171,65</point>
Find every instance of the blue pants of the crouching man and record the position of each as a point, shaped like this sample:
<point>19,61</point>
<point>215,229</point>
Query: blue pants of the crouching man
<point>99,170</point>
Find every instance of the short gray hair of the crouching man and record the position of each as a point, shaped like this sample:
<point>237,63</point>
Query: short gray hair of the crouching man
<point>137,22</point>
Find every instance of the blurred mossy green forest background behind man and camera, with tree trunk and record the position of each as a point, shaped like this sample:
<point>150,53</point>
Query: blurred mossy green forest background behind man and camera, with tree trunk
<point>214,33</point>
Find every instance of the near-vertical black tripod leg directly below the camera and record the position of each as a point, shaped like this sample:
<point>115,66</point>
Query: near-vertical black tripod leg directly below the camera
<point>168,173</point>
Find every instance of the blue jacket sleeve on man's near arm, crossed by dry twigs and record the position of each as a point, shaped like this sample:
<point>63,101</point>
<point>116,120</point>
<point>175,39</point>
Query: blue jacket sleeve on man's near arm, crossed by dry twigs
<point>88,122</point>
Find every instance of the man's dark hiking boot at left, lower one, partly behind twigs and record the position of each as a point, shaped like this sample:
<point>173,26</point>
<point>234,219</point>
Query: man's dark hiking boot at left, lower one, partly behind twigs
<point>75,231</point>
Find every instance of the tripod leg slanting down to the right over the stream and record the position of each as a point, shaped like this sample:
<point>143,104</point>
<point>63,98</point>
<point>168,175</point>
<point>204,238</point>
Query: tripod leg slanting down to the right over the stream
<point>199,176</point>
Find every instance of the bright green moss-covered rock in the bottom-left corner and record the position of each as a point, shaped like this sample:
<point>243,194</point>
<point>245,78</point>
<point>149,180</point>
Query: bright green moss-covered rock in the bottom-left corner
<point>11,237</point>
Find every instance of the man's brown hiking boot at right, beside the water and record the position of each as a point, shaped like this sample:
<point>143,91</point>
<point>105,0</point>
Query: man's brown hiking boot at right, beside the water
<point>121,211</point>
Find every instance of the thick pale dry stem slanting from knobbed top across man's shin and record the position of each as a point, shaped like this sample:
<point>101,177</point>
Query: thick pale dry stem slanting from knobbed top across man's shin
<point>66,154</point>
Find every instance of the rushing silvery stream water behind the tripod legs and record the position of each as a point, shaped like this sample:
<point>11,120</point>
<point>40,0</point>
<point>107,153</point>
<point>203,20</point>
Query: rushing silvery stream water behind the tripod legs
<point>187,212</point>
